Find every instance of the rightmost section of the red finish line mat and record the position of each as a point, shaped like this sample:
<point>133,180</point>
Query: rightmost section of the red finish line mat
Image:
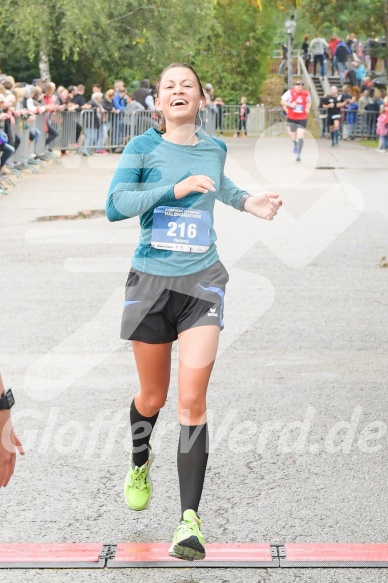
<point>333,555</point>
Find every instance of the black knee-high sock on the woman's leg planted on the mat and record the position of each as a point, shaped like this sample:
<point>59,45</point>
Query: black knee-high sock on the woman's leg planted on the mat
<point>193,451</point>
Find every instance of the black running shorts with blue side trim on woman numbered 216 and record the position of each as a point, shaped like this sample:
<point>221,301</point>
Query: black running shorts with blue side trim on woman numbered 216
<point>158,308</point>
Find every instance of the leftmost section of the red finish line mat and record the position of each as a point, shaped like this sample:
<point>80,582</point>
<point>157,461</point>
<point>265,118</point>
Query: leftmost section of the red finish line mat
<point>54,556</point>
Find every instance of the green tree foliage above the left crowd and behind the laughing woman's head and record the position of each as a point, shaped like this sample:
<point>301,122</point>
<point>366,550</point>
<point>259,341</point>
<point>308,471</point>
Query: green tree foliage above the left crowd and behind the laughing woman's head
<point>90,41</point>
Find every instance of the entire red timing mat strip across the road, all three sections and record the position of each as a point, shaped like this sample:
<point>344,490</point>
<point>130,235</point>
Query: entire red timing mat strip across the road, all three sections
<point>232,555</point>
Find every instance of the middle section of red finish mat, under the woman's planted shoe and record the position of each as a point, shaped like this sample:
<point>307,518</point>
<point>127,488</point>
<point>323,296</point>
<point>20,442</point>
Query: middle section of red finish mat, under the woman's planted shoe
<point>217,555</point>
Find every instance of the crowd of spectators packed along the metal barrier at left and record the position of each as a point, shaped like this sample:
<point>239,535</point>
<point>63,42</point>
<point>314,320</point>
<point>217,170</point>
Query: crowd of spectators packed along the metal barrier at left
<point>21,103</point>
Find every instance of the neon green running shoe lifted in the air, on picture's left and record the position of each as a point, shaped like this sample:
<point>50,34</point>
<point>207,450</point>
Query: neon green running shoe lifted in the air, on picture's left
<point>138,485</point>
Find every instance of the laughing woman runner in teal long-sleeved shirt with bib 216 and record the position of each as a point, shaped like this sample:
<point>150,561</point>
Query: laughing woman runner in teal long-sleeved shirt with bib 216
<point>171,178</point>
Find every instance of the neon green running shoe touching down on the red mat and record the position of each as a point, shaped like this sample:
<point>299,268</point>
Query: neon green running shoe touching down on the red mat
<point>188,542</point>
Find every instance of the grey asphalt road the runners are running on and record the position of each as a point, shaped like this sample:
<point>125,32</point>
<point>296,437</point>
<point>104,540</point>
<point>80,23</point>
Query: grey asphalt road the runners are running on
<point>297,402</point>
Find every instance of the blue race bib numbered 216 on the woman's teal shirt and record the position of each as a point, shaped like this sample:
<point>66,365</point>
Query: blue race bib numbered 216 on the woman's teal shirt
<point>181,229</point>
